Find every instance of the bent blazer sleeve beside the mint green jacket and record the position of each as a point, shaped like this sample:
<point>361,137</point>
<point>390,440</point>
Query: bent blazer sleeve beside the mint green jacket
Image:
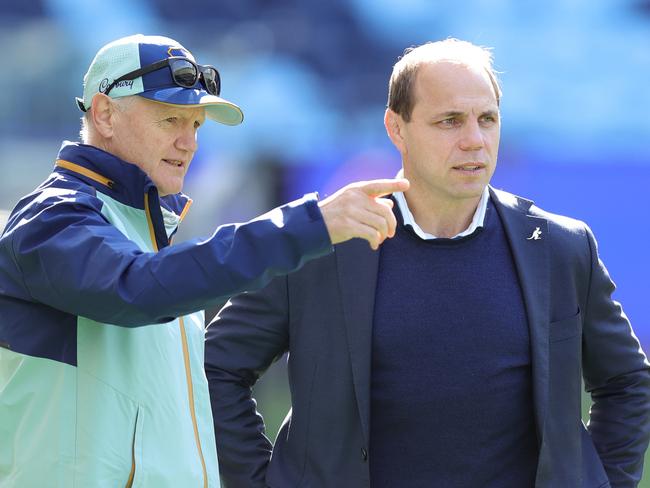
<point>246,337</point>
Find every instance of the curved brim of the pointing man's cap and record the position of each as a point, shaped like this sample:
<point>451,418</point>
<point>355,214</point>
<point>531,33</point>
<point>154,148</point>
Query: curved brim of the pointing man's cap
<point>216,108</point>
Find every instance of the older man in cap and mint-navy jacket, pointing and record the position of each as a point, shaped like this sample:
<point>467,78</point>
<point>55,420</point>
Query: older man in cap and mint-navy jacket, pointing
<point>101,333</point>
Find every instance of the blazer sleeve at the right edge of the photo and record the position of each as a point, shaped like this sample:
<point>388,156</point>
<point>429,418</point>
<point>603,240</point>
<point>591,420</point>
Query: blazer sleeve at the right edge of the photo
<point>617,375</point>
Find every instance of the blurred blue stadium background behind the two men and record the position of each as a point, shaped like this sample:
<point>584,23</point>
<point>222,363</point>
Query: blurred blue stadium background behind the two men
<point>311,77</point>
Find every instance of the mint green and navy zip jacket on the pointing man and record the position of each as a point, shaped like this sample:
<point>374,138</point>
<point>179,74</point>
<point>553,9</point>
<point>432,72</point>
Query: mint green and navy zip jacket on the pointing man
<point>102,330</point>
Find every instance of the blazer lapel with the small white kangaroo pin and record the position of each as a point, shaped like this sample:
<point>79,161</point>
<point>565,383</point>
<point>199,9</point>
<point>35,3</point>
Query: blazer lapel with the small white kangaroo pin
<point>528,237</point>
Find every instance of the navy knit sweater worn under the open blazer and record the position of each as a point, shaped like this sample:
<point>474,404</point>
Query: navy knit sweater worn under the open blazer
<point>451,396</point>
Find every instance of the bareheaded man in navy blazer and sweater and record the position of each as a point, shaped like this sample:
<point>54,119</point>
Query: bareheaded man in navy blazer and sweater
<point>454,355</point>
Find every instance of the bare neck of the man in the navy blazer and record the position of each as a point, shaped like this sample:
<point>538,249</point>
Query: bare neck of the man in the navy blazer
<point>441,217</point>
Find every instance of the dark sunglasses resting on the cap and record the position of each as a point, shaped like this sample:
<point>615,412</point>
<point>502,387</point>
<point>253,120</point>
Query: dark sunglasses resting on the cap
<point>185,73</point>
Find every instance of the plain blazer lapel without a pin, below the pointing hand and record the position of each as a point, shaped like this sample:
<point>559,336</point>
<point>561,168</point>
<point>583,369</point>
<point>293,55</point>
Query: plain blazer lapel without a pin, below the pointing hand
<point>357,270</point>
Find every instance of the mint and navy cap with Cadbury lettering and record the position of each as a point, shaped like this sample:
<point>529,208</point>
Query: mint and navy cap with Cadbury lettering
<point>132,53</point>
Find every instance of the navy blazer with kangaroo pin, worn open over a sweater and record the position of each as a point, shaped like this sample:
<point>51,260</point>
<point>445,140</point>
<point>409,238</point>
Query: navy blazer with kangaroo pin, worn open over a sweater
<point>322,314</point>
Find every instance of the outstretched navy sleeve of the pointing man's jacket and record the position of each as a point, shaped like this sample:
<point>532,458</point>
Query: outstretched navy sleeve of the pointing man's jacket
<point>68,256</point>
